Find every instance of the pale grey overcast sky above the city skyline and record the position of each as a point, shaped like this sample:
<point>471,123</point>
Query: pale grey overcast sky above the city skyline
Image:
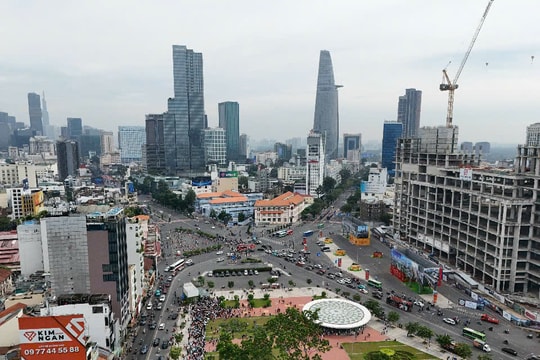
<point>110,61</point>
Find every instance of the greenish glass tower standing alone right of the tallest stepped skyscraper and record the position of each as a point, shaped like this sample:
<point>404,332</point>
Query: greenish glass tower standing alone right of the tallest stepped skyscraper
<point>229,119</point>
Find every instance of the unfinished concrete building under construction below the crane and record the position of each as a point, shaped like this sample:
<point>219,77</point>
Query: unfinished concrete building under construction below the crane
<point>483,220</point>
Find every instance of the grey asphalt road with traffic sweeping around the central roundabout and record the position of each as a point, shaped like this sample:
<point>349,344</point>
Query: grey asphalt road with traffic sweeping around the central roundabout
<point>301,277</point>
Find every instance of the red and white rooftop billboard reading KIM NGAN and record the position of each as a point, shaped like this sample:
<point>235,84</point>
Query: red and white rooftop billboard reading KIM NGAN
<point>53,337</point>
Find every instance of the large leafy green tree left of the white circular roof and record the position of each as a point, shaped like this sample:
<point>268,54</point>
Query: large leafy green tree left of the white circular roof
<point>296,335</point>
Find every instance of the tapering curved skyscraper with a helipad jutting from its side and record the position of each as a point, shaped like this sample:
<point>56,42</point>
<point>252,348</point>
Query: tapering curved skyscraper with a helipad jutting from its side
<point>326,106</point>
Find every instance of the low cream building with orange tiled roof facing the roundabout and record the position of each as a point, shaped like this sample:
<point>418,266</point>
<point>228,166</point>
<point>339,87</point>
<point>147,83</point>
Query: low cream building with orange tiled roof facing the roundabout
<point>283,209</point>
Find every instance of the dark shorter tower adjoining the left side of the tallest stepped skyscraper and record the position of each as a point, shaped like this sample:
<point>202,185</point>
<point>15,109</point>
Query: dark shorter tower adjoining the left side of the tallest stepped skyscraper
<point>155,144</point>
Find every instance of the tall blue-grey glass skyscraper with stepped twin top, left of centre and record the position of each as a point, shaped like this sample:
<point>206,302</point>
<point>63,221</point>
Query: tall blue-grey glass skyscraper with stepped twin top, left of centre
<point>185,119</point>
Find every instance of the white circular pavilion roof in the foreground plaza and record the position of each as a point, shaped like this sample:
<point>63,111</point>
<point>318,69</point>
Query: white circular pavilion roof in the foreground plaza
<point>339,313</point>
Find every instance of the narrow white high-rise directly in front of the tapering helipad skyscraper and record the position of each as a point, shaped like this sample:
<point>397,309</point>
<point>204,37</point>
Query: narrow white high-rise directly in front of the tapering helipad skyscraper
<point>315,156</point>
